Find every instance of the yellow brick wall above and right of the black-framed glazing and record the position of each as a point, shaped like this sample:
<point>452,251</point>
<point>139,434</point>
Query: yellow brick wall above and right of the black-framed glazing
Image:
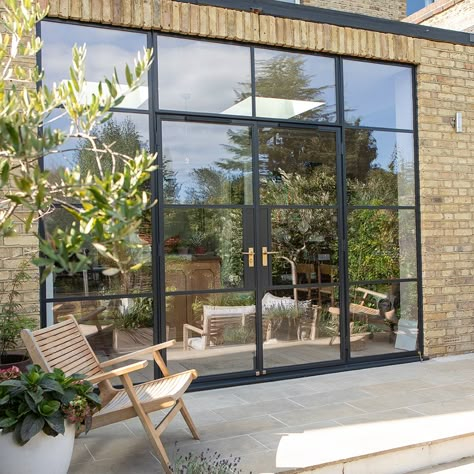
<point>445,85</point>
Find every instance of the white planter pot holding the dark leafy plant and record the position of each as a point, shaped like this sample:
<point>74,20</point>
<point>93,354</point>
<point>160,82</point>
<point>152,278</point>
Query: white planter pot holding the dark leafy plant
<point>43,454</point>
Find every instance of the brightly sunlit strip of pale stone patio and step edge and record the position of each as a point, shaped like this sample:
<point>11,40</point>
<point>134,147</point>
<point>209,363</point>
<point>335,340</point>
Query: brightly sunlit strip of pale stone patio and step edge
<point>386,447</point>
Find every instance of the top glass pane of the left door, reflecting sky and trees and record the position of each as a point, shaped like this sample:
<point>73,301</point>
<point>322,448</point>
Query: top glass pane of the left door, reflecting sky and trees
<point>207,163</point>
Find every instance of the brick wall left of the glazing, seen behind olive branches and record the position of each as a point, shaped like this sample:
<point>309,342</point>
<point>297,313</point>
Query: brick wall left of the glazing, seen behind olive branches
<point>16,249</point>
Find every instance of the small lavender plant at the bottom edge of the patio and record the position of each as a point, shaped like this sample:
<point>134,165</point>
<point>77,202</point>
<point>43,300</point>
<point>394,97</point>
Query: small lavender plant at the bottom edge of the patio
<point>205,462</point>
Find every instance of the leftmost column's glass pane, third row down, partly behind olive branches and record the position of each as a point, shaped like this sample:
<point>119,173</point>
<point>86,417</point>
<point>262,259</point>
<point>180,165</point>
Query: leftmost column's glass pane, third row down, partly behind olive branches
<point>93,282</point>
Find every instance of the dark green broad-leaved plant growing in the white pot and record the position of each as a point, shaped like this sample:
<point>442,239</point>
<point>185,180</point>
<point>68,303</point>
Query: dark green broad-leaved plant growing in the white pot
<point>37,401</point>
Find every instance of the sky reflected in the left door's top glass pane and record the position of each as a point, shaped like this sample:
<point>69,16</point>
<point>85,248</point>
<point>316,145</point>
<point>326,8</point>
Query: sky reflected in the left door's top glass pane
<point>191,146</point>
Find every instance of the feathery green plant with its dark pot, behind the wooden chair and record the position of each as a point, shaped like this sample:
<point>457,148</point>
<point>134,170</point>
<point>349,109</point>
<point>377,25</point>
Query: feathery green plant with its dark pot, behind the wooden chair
<point>12,321</point>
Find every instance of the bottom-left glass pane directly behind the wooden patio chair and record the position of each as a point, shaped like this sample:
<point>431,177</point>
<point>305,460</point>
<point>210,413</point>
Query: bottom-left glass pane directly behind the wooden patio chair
<point>112,327</point>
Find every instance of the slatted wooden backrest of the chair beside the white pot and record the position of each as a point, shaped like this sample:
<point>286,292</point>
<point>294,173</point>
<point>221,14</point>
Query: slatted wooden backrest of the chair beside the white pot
<point>62,346</point>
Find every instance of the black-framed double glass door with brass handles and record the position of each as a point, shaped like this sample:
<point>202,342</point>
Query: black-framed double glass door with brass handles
<point>251,250</point>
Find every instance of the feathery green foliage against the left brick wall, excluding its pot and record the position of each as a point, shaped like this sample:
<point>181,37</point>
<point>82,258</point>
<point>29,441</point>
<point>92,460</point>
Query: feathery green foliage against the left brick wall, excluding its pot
<point>12,321</point>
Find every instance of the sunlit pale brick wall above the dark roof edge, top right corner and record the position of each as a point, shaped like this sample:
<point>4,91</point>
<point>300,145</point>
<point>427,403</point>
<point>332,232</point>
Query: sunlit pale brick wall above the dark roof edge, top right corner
<point>450,14</point>
